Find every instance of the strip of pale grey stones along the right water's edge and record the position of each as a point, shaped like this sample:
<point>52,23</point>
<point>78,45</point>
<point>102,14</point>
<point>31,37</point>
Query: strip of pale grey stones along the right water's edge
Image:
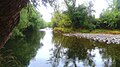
<point>106,38</point>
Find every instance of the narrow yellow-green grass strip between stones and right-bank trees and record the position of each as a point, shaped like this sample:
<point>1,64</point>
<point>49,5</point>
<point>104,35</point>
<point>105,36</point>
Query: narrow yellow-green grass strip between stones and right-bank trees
<point>71,30</point>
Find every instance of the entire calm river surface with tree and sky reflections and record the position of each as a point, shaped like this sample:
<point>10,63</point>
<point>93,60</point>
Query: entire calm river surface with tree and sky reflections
<point>45,49</point>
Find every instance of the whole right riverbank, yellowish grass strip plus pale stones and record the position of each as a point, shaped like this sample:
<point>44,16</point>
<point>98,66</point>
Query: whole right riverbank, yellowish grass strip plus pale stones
<point>100,35</point>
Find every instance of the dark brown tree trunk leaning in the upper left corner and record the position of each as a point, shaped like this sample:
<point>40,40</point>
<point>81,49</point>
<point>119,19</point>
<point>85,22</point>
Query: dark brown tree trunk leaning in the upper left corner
<point>9,17</point>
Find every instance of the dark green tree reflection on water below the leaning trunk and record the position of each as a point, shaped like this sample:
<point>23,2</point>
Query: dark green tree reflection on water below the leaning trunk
<point>18,52</point>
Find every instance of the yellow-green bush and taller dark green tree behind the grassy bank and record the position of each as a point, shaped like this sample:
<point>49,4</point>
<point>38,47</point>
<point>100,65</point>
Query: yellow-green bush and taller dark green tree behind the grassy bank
<point>75,17</point>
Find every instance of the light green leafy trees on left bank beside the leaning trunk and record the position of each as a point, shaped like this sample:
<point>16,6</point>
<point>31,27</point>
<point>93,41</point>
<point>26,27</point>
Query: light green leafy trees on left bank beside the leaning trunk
<point>30,19</point>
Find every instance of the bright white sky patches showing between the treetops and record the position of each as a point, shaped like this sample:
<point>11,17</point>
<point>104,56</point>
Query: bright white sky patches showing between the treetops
<point>99,5</point>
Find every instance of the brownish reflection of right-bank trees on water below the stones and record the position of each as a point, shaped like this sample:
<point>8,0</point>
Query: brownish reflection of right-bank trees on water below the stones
<point>72,50</point>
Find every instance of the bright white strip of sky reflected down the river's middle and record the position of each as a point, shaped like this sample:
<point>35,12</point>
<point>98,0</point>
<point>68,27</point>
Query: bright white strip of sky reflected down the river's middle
<point>43,54</point>
